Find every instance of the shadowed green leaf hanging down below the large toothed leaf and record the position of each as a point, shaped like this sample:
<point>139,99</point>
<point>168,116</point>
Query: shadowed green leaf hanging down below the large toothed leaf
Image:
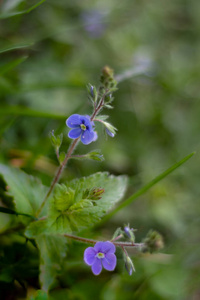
<point>52,254</point>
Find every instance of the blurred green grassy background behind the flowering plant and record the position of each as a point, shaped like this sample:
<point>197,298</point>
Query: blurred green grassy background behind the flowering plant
<point>47,56</point>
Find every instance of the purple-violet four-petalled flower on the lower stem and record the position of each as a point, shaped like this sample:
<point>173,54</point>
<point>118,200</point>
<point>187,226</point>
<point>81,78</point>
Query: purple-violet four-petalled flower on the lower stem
<point>101,254</point>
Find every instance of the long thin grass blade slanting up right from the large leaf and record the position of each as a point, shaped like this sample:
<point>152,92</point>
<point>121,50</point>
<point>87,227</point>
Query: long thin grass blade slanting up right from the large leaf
<point>145,188</point>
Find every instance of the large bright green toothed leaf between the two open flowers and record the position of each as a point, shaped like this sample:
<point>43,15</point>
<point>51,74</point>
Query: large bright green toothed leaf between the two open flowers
<point>69,212</point>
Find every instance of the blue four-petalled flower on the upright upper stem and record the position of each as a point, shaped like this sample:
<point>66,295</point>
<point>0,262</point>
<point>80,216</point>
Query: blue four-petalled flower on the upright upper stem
<point>81,127</point>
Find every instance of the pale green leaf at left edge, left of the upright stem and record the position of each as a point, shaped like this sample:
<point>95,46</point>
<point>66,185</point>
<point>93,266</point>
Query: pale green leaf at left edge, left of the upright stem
<point>27,191</point>
